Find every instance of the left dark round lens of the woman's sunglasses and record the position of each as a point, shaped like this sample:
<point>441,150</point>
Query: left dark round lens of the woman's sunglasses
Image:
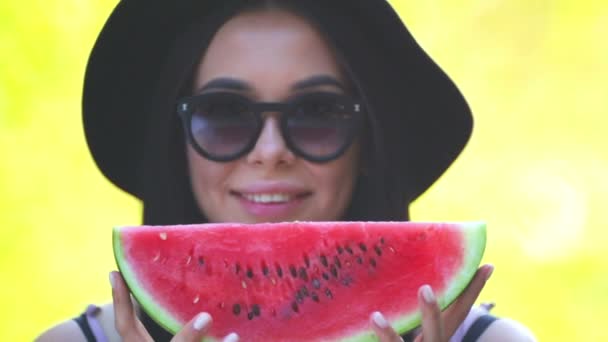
<point>223,126</point>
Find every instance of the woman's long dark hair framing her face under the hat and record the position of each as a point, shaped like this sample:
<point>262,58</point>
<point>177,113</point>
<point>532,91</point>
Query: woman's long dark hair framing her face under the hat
<point>168,198</point>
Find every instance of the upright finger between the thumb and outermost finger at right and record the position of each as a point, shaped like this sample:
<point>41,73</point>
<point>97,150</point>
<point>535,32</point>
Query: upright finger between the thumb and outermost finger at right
<point>432,326</point>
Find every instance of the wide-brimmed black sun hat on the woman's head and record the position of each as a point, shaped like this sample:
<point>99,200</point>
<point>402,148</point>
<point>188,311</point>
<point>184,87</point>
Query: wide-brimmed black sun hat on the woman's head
<point>423,118</point>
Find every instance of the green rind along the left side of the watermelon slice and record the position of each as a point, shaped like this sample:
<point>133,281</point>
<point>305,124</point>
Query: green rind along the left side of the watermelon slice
<point>162,317</point>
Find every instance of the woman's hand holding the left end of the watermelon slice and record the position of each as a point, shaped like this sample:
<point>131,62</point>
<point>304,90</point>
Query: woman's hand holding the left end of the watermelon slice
<point>130,328</point>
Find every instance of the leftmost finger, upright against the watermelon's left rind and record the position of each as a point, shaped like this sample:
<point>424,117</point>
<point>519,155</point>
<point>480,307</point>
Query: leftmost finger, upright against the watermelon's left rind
<point>125,320</point>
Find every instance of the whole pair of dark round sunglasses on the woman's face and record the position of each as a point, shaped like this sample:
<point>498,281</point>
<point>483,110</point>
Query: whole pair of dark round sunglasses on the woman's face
<point>224,126</point>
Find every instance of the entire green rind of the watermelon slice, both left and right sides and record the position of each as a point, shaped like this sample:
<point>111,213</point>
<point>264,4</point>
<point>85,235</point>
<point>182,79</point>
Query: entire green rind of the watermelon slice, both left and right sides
<point>474,240</point>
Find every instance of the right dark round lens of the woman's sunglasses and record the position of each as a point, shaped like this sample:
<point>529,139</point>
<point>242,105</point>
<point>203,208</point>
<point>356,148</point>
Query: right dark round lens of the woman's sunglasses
<point>321,126</point>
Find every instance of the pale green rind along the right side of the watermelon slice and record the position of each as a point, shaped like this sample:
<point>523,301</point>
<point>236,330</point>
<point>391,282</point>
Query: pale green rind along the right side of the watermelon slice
<point>475,242</point>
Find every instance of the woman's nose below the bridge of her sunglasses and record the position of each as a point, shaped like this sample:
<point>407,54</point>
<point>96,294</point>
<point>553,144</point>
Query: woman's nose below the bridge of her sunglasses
<point>271,149</point>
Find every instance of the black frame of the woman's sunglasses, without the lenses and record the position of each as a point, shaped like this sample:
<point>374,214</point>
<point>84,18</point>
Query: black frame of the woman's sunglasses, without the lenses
<point>186,106</point>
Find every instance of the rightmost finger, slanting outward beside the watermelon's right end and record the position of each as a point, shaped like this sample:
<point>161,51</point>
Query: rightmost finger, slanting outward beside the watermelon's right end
<point>459,309</point>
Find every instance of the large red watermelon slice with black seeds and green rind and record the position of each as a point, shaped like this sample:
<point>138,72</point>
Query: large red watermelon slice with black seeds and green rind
<point>297,281</point>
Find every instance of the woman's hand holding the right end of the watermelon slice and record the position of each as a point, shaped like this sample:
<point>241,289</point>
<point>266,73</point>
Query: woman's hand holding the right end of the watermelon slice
<point>437,326</point>
